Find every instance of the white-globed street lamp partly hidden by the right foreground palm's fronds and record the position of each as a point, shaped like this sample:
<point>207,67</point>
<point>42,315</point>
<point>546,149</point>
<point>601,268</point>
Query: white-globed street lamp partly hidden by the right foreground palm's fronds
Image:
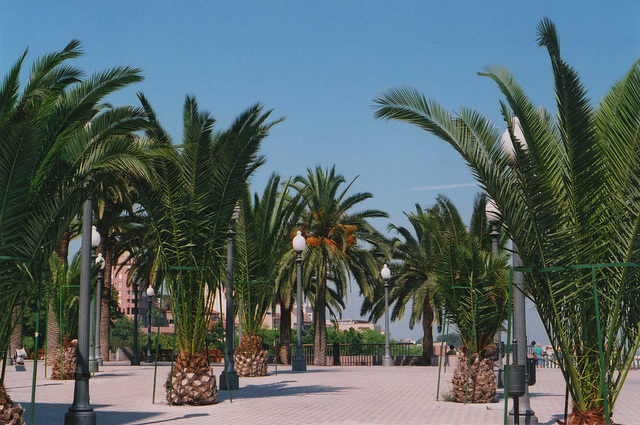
<point>522,405</point>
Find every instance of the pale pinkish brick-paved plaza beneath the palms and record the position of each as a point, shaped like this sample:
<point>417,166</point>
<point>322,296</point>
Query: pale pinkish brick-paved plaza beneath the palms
<point>121,394</point>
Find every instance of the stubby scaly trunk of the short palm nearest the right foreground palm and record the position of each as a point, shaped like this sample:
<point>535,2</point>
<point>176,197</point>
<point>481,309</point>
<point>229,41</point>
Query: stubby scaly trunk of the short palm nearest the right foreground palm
<point>475,383</point>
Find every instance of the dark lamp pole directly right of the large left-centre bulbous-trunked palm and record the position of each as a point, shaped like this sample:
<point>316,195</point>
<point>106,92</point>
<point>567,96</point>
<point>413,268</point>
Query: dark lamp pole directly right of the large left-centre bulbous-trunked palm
<point>229,378</point>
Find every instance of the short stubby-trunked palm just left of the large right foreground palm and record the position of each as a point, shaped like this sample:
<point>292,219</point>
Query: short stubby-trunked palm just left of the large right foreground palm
<point>473,288</point>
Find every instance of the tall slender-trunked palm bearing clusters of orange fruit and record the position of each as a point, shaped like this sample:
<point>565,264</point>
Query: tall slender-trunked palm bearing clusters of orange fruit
<point>333,254</point>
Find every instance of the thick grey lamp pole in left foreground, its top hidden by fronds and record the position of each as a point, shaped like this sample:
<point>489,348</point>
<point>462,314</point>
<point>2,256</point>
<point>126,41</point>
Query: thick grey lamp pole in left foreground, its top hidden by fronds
<point>81,412</point>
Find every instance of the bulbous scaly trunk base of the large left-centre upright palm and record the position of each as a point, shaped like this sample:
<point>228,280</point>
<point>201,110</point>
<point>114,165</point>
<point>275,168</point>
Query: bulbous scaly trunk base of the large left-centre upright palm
<point>193,383</point>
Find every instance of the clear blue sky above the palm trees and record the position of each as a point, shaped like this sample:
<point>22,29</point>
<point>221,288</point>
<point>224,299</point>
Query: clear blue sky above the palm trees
<point>321,63</point>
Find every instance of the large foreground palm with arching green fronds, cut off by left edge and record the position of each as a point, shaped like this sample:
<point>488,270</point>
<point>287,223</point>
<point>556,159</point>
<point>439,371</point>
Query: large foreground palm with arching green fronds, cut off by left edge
<point>54,149</point>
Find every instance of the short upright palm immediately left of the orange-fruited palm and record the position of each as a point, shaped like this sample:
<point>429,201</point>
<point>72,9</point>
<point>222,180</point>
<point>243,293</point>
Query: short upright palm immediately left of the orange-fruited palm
<point>263,234</point>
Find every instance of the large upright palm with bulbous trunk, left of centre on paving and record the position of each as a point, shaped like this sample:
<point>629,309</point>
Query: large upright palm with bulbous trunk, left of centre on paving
<point>190,210</point>
